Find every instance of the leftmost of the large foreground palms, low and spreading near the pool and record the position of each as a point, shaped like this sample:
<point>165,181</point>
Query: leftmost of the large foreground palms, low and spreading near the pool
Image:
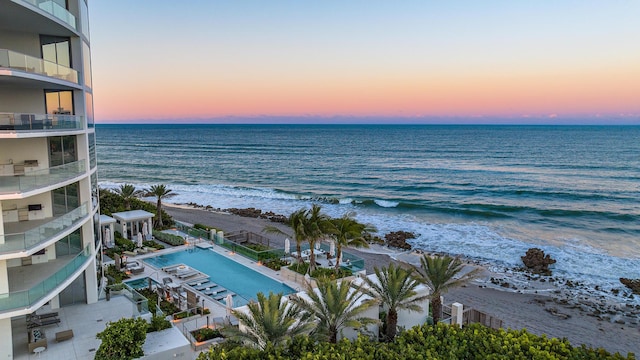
<point>270,320</point>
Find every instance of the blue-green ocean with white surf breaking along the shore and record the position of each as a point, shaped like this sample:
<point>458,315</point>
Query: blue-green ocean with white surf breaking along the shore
<point>488,192</point>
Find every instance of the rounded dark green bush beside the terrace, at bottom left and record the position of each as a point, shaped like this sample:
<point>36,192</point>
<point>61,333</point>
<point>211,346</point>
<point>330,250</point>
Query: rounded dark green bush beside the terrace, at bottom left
<point>122,339</point>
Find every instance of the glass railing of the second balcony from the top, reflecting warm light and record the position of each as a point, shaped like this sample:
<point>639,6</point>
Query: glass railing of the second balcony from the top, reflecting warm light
<point>18,61</point>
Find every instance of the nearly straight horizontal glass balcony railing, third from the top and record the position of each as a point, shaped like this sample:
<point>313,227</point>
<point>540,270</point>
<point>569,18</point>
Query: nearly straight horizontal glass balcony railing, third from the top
<point>40,122</point>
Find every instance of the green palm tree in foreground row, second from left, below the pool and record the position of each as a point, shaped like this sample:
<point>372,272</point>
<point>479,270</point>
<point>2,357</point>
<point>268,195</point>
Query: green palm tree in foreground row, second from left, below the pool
<point>334,305</point>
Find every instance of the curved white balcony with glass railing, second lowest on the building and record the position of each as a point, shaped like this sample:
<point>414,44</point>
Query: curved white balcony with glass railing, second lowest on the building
<point>14,243</point>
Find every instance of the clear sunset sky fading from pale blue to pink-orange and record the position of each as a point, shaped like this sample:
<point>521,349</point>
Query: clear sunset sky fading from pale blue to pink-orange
<point>550,61</point>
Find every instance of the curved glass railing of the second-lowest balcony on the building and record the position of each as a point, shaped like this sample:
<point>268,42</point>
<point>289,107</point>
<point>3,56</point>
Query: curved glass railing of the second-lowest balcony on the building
<point>32,238</point>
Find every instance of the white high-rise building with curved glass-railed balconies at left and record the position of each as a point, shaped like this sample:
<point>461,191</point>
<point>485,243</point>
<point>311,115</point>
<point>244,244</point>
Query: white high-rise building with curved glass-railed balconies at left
<point>50,247</point>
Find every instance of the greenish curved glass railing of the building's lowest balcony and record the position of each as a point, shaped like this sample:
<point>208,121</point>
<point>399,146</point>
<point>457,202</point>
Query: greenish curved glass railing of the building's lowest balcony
<point>26,298</point>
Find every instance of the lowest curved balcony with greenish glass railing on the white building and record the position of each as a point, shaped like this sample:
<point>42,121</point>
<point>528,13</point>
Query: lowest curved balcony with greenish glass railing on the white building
<point>62,269</point>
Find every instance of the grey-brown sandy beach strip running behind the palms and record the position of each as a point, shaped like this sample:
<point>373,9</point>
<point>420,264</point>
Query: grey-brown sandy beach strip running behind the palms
<point>539,314</point>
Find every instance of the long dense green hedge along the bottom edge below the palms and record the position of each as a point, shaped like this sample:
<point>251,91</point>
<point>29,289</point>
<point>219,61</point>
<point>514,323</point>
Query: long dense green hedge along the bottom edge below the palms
<point>424,342</point>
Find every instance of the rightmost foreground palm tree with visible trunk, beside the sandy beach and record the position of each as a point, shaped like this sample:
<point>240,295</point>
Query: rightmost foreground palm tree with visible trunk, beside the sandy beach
<point>439,274</point>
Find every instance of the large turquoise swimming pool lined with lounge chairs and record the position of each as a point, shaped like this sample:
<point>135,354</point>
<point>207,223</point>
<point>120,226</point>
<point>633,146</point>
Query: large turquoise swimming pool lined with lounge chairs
<point>235,277</point>
